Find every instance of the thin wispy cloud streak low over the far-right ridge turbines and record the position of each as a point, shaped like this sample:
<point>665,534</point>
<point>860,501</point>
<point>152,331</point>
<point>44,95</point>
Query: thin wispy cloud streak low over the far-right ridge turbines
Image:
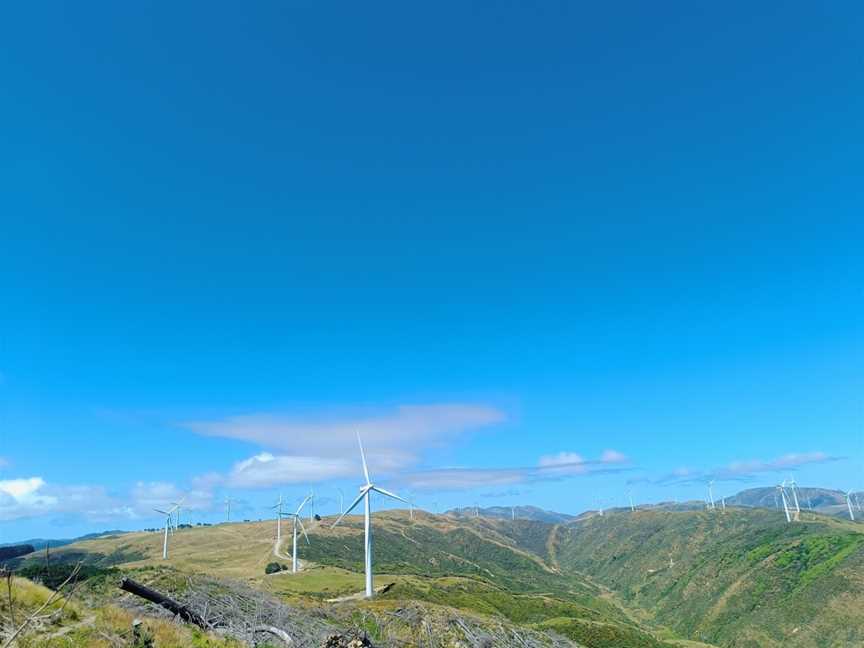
<point>740,471</point>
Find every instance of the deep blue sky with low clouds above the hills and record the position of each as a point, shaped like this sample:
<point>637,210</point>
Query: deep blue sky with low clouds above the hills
<point>532,252</point>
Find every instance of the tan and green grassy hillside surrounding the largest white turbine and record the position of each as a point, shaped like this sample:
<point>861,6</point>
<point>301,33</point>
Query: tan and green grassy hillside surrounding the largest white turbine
<point>469,566</point>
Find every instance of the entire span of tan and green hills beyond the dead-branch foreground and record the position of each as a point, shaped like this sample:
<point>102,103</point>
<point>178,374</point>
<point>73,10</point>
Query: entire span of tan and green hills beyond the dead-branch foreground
<point>653,578</point>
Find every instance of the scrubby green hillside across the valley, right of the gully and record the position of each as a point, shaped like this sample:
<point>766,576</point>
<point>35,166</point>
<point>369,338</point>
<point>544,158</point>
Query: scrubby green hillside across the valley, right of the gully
<point>741,579</point>
